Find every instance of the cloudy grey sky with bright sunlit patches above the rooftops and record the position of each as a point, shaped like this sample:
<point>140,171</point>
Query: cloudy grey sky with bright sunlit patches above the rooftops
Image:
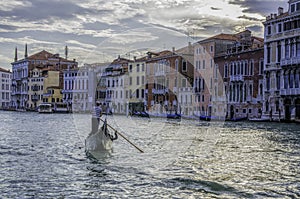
<point>98,31</point>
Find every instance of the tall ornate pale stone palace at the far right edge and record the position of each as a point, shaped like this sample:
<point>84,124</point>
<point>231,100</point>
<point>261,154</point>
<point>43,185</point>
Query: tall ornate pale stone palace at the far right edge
<point>282,63</point>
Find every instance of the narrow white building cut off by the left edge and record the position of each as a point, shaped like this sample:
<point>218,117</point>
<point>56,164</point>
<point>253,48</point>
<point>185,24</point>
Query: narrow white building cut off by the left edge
<point>5,88</point>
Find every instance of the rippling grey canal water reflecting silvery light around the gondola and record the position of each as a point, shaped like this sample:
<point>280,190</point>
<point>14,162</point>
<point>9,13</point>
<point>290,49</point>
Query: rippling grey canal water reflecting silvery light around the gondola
<point>43,156</point>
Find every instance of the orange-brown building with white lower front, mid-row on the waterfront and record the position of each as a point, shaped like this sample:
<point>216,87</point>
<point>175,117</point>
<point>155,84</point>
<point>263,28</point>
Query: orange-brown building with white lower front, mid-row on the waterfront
<point>168,74</point>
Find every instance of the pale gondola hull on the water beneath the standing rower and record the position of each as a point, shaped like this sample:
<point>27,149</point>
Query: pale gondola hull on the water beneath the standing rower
<point>101,140</point>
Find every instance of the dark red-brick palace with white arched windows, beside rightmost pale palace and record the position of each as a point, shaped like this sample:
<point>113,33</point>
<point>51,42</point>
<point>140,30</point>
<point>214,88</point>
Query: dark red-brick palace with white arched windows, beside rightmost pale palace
<point>241,70</point>
